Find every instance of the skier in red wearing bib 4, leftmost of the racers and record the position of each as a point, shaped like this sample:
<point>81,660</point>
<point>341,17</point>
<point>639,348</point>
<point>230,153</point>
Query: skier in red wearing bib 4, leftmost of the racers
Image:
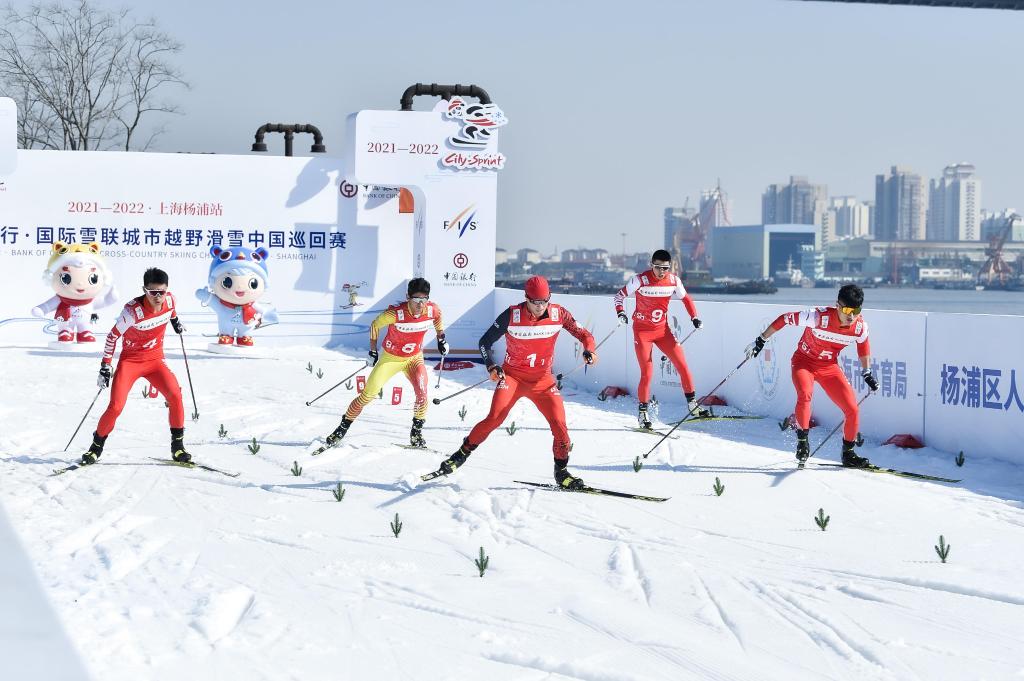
<point>141,329</point>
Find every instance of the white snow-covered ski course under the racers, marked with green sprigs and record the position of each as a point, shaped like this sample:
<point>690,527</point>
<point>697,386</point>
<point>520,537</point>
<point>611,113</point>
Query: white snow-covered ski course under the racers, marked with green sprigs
<point>163,573</point>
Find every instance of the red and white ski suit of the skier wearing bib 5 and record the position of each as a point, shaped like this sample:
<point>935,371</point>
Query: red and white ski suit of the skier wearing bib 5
<point>817,359</point>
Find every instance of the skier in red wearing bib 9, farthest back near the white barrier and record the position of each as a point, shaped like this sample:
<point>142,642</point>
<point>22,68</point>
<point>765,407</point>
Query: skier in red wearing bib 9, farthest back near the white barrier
<point>653,290</point>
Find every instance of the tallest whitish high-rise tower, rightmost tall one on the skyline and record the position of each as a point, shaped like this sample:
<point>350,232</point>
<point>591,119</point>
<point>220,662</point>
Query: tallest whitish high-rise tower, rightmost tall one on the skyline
<point>955,205</point>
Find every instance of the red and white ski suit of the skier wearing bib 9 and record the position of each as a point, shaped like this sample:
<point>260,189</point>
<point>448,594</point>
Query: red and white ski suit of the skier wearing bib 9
<point>651,326</point>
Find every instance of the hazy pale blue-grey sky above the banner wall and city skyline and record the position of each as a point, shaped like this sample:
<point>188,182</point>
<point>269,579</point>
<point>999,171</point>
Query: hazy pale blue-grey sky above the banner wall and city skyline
<point>618,110</point>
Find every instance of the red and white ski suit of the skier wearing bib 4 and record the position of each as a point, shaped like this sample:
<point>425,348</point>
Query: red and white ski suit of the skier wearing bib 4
<point>142,357</point>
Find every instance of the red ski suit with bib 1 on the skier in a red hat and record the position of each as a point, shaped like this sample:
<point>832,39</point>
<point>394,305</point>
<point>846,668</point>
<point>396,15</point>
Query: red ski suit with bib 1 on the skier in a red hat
<point>530,345</point>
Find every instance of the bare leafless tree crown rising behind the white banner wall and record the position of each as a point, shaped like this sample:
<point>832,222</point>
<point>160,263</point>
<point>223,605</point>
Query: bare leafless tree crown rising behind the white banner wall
<point>86,78</point>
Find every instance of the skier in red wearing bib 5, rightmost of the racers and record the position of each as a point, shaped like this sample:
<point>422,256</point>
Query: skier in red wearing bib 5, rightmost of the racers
<point>827,332</point>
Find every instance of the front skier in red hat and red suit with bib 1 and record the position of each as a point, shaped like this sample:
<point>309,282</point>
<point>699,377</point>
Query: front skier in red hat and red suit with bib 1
<point>531,330</point>
